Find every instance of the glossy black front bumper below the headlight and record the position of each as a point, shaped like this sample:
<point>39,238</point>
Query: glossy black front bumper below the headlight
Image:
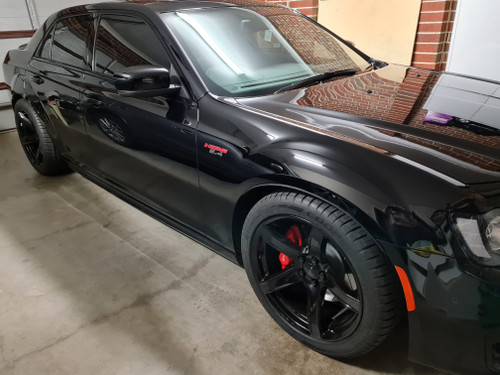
<point>456,324</point>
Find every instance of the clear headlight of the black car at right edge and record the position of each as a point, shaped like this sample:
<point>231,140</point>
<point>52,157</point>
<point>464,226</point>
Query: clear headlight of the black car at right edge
<point>481,237</point>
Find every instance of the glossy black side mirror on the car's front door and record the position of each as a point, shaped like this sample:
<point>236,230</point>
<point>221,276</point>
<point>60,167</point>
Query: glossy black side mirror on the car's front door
<point>144,80</point>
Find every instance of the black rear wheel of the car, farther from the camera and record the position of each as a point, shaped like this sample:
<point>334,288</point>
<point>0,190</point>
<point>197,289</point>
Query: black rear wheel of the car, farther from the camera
<point>36,142</point>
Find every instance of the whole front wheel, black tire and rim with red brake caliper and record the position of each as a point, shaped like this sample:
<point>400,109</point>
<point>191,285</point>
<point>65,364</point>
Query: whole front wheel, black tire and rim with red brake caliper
<point>320,275</point>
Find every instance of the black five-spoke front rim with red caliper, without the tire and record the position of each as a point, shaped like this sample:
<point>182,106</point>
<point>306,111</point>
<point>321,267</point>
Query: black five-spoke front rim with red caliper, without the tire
<point>304,275</point>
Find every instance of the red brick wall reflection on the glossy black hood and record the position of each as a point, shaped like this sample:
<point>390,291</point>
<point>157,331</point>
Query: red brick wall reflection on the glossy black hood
<point>399,103</point>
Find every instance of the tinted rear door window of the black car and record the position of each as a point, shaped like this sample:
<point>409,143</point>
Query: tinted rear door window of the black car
<point>69,43</point>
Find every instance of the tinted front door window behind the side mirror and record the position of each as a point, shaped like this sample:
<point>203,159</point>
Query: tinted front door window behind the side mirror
<point>124,41</point>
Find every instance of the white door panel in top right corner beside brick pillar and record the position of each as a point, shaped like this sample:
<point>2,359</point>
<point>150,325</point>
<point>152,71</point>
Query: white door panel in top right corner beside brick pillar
<point>475,44</point>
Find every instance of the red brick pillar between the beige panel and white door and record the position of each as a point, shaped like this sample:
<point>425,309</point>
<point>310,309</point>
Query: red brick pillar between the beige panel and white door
<point>433,34</point>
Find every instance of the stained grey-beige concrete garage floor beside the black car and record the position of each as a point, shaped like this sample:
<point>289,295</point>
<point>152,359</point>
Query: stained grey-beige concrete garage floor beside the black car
<point>90,285</point>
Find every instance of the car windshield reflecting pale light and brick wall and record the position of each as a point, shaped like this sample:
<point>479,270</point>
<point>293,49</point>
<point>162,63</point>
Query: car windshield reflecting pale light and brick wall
<point>256,51</point>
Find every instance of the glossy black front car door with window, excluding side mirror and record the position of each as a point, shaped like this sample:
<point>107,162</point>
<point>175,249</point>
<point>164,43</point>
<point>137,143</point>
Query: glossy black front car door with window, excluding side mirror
<point>144,146</point>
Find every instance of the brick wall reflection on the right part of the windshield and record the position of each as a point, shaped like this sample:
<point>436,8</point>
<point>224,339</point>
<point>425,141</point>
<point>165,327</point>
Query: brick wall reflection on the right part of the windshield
<point>302,37</point>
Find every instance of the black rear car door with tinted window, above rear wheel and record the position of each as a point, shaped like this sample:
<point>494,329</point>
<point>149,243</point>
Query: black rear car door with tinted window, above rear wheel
<point>56,74</point>
